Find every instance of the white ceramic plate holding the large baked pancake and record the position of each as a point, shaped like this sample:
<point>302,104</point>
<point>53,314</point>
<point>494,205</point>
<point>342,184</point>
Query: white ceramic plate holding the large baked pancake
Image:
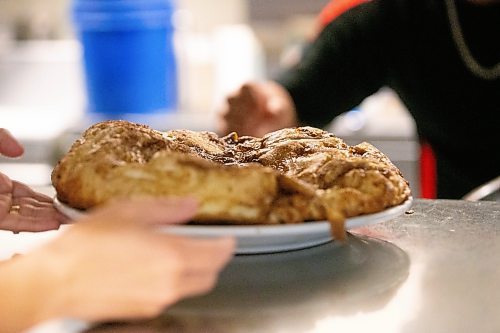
<point>269,238</point>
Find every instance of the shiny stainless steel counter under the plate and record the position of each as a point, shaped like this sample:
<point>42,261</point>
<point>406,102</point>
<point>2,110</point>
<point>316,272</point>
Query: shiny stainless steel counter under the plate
<point>434,270</point>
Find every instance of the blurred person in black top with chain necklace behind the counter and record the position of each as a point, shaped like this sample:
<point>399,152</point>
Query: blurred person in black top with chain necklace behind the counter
<point>442,57</point>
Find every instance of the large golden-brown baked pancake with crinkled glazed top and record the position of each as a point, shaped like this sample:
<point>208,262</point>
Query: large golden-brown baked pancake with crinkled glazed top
<point>289,176</point>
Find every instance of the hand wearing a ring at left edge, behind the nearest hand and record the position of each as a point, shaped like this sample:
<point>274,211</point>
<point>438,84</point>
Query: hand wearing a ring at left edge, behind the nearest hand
<point>21,208</point>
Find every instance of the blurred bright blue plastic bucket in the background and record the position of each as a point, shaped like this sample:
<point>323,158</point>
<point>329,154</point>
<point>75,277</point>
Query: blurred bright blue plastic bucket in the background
<point>129,58</point>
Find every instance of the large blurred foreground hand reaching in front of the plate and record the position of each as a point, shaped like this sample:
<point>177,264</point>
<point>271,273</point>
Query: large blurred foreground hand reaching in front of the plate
<point>113,264</point>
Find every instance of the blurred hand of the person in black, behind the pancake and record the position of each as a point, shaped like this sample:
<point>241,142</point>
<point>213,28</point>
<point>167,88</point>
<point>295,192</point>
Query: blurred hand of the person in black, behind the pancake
<point>256,109</point>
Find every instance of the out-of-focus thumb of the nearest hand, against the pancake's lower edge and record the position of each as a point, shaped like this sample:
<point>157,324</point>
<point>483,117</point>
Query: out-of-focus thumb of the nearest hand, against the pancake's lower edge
<point>147,211</point>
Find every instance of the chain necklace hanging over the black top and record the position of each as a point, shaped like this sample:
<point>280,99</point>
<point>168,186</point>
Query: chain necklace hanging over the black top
<point>486,73</point>
